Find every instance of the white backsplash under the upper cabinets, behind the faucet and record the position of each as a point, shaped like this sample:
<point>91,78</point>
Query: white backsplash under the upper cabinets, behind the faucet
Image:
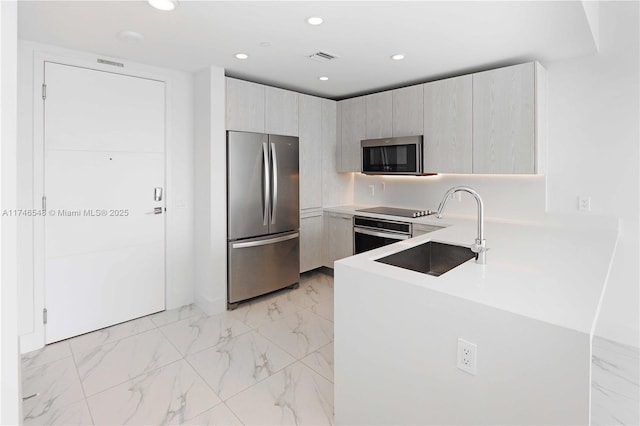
<point>505,197</point>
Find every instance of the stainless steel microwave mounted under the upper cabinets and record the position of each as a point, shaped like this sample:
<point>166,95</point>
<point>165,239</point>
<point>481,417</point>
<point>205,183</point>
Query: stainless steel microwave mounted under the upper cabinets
<point>392,156</point>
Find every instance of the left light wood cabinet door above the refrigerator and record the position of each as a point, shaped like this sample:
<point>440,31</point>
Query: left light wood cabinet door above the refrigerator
<point>245,106</point>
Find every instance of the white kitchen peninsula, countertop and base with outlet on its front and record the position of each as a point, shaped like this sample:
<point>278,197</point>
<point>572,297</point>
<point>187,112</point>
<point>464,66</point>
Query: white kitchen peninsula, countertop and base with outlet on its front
<point>530,310</point>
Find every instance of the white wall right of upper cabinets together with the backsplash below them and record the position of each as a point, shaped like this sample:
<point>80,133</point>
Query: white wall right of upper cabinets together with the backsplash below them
<point>593,150</point>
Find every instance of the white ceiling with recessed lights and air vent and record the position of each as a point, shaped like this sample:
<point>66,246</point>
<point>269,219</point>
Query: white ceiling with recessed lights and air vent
<point>439,38</point>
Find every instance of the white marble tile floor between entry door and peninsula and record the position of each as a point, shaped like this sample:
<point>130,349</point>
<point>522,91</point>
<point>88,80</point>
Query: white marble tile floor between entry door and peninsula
<point>269,362</point>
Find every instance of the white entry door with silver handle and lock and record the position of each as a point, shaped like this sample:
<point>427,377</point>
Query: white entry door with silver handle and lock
<point>104,159</point>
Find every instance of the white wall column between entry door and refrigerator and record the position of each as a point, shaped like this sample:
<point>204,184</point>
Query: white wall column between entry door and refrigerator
<point>211,191</point>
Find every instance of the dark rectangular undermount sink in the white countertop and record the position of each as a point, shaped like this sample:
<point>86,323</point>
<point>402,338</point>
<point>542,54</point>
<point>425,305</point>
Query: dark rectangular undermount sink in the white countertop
<point>431,258</point>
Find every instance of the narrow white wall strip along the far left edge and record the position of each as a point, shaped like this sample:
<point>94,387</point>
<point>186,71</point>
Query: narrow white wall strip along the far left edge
<point>10,388</point>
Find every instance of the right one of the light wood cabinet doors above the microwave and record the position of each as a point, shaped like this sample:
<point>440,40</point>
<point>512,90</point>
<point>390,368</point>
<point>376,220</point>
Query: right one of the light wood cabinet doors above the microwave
<point>408,111</point>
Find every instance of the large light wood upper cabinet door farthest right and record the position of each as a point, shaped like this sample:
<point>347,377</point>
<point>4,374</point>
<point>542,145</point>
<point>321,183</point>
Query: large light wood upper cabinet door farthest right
<point>504,120</point>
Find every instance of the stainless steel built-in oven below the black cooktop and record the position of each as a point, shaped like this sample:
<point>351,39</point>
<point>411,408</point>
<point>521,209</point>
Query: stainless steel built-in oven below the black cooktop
<point>369,233</point>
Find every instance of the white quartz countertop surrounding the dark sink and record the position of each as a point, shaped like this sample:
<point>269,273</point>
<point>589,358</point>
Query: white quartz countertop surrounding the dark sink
<point>553,270</point>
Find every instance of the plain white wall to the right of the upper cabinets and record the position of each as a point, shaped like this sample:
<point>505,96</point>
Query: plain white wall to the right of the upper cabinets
<point>594,150</point>
